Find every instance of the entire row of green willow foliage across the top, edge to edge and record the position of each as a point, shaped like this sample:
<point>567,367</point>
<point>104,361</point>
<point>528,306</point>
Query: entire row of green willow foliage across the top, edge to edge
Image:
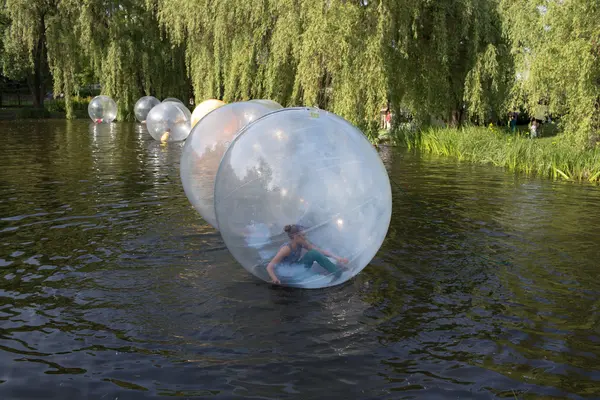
<point>446,59</point>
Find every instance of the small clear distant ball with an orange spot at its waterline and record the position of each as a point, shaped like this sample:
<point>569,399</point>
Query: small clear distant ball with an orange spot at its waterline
<point>169,122</point>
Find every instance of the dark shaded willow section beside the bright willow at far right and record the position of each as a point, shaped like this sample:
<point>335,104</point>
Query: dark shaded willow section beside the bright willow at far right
<point>447,59</point>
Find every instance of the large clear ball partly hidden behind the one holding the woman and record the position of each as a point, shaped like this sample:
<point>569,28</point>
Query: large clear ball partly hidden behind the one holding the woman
<point>206,145</point>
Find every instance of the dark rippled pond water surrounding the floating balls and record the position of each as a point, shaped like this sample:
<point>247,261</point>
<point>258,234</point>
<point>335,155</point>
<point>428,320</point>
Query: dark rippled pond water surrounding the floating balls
<point>112,286</point>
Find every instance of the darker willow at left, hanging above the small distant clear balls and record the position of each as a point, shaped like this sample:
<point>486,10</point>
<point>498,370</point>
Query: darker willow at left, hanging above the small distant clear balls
<point>128,53</point>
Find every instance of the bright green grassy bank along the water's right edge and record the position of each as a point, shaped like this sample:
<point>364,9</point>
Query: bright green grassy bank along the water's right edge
<point>550,157</point>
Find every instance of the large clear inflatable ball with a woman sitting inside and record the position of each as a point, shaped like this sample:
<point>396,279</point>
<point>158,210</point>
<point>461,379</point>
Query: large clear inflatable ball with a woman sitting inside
<point>302,199</point>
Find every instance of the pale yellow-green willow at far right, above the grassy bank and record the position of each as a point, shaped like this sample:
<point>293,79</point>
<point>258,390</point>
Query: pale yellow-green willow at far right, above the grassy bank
<point>556,46</point>
